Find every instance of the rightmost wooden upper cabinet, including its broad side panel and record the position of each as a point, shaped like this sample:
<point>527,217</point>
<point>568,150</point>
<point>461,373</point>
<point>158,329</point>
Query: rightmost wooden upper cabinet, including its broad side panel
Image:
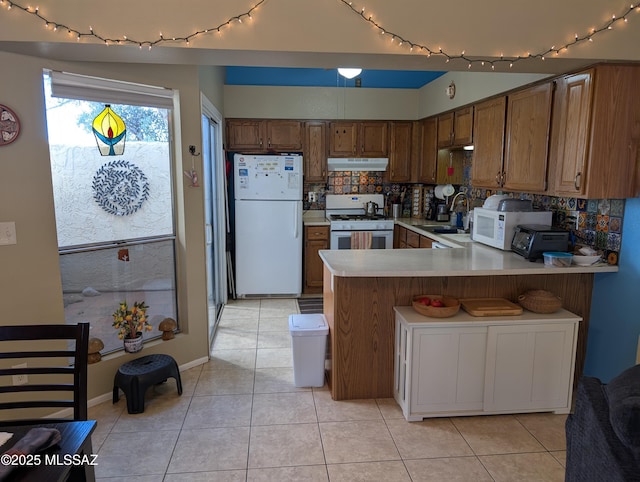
<point>596,135</point>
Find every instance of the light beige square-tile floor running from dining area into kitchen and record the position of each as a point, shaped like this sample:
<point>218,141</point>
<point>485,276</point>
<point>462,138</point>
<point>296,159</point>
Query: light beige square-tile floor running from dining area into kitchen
<point>240,418</point>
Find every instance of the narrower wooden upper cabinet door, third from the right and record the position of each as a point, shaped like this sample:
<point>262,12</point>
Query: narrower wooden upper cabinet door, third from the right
<point>489,126</point>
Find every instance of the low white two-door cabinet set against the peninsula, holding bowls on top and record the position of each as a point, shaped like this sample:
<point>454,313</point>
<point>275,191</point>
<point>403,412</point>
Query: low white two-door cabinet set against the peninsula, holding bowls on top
<point>467,365</point>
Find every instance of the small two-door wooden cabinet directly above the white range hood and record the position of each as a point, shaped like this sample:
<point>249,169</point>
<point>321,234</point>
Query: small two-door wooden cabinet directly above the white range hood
<point>358,139</point>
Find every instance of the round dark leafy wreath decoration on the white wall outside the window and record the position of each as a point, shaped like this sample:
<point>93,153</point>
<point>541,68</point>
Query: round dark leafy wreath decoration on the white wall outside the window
<point>120,188</point>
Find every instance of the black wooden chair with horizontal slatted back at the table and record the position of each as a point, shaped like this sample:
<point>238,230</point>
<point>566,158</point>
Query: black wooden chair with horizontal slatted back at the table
<point>54,372</point>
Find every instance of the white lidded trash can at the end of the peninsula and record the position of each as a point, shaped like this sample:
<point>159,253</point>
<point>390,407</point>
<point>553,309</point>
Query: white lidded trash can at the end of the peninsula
<point>309,347</point>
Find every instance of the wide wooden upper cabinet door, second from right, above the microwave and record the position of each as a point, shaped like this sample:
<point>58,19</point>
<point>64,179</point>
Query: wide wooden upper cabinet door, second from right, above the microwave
<point>526,153</point>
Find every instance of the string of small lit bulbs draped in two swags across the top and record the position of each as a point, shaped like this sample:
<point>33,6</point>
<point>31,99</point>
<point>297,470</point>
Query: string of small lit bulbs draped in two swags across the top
<point>395,38</point>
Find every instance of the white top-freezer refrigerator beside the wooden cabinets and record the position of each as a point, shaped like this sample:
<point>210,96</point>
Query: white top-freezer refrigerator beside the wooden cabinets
<point>268,224</point>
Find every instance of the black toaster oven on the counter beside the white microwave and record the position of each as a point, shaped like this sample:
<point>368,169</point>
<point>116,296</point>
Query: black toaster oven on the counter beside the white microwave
<point>531,240</point>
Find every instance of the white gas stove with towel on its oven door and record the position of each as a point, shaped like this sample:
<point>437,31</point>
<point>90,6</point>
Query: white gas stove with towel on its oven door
<point>347,214</point>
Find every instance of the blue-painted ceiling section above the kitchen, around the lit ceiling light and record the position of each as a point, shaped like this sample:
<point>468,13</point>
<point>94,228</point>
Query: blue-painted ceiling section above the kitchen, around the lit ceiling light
<point>312,77</point>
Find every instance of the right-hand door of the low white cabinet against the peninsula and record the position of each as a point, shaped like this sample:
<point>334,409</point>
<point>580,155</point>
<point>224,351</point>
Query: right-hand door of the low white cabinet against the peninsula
<point>529,367</point>
